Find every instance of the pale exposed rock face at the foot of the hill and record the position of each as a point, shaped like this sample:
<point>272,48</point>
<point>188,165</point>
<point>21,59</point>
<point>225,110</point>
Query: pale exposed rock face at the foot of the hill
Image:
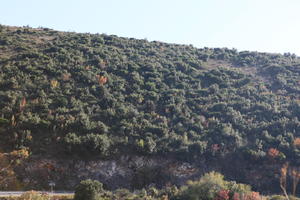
<point>126,172</point>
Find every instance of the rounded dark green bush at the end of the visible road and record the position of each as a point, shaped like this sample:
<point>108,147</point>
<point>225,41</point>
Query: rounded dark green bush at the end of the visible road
<point>88,190</point>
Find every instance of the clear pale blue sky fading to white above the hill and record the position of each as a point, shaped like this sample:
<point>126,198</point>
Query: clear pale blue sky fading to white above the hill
<point>262,25</point>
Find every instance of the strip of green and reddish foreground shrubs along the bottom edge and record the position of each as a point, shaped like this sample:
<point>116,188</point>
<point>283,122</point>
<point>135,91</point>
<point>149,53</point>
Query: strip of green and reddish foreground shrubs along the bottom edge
<point>210,186</point>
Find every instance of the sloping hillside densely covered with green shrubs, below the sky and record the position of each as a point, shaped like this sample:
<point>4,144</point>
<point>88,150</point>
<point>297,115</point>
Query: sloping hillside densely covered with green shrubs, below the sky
<point>103,97</point>
